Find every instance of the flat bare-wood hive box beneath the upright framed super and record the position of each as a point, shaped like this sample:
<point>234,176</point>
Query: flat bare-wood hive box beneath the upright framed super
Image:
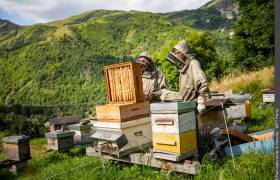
<point>122,112</point>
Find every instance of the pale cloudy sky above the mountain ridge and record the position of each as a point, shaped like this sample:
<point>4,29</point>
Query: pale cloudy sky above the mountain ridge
<point>27,12</point>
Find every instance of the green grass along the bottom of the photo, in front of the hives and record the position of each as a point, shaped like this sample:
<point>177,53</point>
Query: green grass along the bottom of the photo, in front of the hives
<point>75,165</point>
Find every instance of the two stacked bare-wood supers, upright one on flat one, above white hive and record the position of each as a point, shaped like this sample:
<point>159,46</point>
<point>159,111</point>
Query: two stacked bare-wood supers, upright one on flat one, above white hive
<point>125,94</point>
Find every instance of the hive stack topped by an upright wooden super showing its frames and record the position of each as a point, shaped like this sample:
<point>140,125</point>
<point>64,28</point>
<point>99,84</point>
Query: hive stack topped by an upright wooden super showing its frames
<point>123,125</point>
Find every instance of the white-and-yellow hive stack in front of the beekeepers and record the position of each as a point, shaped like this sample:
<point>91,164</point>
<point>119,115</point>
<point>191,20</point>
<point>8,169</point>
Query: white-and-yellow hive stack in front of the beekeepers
<point>174,130</point>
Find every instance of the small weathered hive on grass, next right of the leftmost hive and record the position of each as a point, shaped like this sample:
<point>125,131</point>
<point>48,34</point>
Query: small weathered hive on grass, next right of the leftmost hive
<point>60,140</point>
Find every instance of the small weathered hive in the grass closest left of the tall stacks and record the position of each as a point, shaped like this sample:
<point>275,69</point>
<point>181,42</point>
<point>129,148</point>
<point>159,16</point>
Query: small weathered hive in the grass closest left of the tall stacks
<point>82,133</point>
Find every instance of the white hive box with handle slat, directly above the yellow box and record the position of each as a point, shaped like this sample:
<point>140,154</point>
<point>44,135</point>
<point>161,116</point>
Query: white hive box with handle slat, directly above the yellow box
<point>173,123</point>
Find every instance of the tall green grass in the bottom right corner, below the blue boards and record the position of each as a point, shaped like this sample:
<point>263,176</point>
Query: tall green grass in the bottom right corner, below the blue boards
<point>248,166</point>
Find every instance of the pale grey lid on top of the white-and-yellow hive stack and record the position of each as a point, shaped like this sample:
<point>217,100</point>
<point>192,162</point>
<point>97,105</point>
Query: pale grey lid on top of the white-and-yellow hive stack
<point>173,106</point>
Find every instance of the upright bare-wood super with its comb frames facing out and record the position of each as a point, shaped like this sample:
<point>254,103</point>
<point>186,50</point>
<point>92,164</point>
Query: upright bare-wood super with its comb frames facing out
<point>124,83</point>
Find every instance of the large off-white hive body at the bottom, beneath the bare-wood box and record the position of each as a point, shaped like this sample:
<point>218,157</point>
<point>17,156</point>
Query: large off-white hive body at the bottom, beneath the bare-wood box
<point>138,133</point>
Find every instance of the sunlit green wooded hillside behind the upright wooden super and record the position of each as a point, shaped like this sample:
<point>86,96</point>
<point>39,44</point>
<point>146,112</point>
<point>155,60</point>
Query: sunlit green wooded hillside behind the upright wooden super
<point>62,62</point>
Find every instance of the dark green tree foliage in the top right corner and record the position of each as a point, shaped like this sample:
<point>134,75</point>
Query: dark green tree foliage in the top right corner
<point>253,40</point>
